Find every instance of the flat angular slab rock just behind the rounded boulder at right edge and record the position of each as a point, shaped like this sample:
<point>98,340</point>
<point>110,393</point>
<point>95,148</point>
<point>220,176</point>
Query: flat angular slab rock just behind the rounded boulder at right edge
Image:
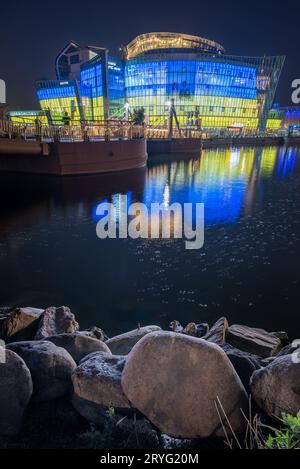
<point>256,341</point>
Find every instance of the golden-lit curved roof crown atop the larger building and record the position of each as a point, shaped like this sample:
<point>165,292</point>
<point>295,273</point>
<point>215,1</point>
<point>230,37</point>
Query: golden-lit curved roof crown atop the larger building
<point>154,41</point>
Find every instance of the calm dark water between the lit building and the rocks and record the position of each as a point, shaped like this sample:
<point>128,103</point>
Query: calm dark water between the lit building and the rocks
<point>247,270</point>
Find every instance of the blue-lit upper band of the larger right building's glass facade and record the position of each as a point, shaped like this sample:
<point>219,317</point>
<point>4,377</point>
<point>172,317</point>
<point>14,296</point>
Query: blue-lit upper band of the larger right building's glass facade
<point>190,77</point>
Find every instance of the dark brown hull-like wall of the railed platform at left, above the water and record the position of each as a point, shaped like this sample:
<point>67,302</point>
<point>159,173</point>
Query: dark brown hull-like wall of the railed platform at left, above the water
<point>80,158</point>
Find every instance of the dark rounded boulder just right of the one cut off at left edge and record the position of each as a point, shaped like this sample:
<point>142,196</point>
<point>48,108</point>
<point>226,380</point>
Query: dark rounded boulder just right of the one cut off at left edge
<point>50,367</point>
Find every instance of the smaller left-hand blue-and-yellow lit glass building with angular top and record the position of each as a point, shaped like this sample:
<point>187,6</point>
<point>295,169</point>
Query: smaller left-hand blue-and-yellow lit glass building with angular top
<point>89,87</point>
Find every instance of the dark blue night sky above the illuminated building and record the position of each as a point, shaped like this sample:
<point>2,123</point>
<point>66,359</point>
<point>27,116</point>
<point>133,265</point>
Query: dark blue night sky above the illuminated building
<point>32,33</point>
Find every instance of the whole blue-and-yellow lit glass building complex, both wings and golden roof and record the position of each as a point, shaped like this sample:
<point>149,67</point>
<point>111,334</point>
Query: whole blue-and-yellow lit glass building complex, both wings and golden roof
<point>209,89</point>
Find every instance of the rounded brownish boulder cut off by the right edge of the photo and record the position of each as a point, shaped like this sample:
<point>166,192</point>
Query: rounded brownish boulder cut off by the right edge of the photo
<point>276,388</point>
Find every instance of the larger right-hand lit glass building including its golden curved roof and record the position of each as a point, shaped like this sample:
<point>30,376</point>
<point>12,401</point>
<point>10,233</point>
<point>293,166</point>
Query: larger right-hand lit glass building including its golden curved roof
<point>219,90</point>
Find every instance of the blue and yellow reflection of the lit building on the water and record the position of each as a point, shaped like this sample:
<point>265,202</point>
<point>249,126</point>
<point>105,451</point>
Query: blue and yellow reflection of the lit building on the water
<point>225,180</point>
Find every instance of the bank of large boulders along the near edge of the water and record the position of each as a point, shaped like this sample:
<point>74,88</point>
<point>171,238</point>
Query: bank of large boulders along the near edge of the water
<point>157,385</point>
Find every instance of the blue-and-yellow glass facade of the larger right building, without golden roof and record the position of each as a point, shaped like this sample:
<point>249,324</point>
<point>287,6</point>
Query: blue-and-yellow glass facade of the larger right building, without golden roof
<point>210,93</point>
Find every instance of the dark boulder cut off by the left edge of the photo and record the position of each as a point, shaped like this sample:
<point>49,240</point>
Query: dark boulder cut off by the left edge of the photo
<point>15,392</point>
